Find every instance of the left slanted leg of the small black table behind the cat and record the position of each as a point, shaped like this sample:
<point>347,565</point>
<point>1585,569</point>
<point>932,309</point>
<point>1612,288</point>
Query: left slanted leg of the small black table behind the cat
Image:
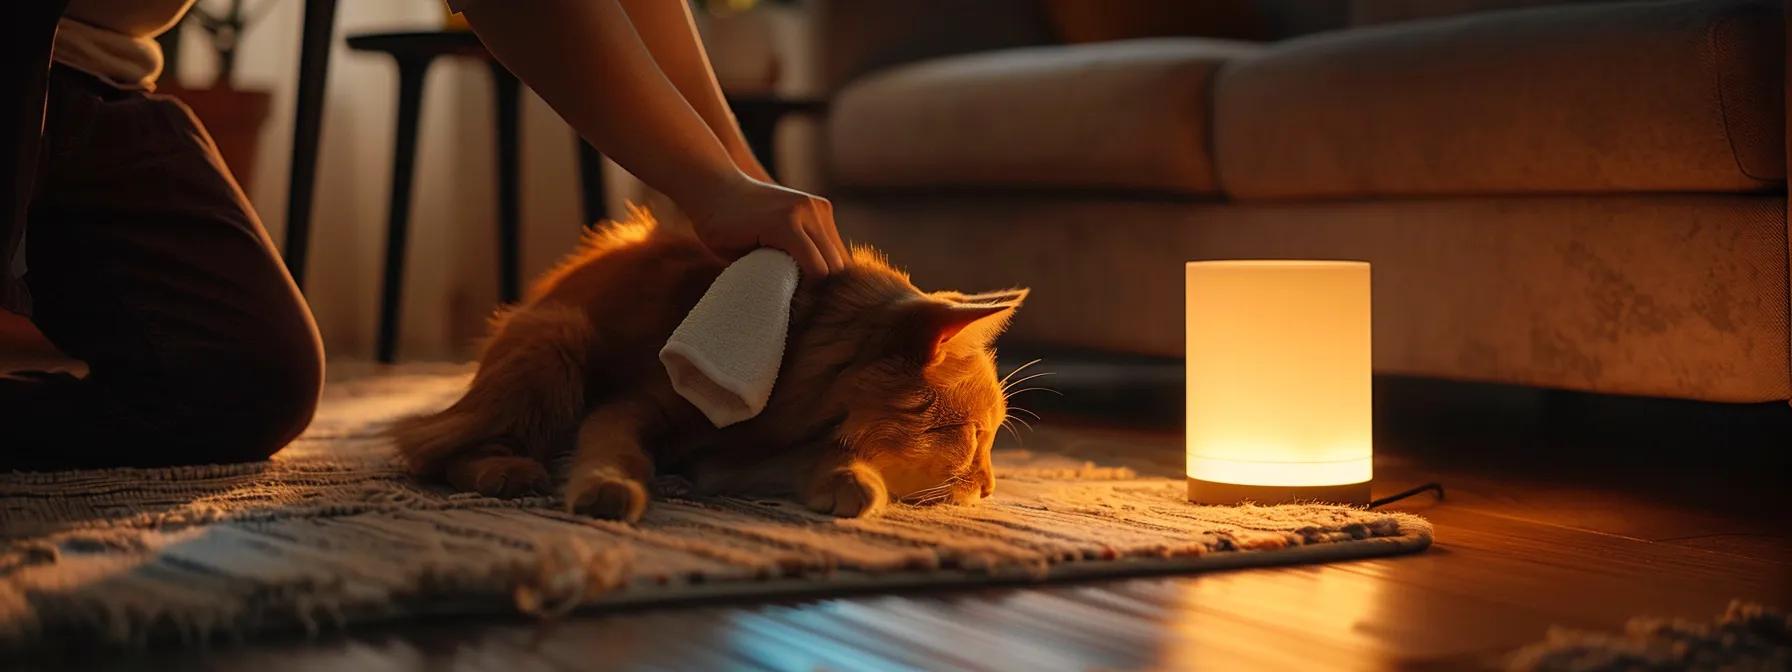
<point>411,73</point>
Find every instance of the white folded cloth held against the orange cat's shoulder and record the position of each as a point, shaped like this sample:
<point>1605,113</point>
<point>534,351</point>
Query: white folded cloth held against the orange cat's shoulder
<point>725,356</point>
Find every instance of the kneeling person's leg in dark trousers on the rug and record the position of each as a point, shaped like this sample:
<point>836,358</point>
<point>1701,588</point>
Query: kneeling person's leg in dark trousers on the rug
<point>148,264</point>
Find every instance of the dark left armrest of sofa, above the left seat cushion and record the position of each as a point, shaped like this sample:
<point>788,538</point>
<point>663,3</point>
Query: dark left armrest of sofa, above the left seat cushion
<point>859,37</point>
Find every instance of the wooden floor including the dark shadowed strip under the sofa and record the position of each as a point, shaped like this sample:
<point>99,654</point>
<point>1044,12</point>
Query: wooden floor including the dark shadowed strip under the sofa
<point>1549,522</point>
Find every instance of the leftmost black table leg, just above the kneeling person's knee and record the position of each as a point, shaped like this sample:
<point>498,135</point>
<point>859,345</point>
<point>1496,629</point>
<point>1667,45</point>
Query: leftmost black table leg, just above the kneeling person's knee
<point>307,128</point>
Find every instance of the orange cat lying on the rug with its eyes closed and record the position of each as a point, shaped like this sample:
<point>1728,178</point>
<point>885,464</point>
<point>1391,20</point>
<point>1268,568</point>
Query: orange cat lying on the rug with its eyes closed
<point>886,393</point>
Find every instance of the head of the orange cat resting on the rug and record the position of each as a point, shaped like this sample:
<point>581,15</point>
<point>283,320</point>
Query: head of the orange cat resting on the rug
<point>908,377</point>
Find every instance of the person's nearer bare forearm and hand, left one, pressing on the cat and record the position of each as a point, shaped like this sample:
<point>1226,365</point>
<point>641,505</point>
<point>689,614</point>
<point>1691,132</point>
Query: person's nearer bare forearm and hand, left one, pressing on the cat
<point>587,62</point>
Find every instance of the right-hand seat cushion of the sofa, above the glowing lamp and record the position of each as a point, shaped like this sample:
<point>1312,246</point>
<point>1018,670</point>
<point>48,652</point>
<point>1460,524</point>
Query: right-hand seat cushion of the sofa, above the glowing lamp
<point>1592,98</point>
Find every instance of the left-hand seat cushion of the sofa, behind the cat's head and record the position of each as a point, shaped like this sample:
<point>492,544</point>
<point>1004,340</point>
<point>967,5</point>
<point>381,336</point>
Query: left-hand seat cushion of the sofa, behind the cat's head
<point>1123,116</point>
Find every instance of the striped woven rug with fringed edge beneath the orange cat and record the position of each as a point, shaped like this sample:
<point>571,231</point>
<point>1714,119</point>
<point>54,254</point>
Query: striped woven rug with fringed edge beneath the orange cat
<point>331,533</point>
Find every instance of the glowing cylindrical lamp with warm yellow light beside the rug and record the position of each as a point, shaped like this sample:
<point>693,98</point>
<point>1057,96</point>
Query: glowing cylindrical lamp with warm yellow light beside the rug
<point>1279,383</point>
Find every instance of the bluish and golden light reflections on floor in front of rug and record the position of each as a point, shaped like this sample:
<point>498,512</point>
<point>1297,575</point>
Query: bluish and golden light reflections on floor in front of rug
<point>1173,625</point>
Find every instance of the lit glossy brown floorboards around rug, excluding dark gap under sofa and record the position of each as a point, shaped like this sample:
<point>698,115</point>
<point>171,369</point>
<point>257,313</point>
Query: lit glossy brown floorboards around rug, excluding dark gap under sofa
<point>1513,558</point>
